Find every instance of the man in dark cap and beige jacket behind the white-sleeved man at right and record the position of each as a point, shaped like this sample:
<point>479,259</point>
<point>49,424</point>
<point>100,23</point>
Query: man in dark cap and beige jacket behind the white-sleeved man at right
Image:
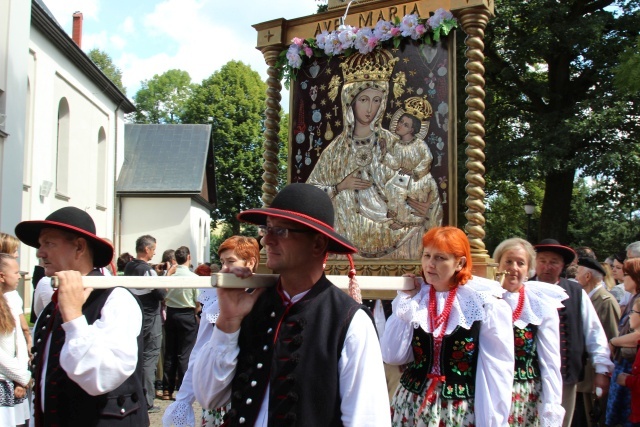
<point>590,275</point>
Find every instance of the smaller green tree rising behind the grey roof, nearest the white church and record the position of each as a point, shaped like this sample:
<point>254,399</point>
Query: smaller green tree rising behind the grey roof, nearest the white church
<point>162,98</point>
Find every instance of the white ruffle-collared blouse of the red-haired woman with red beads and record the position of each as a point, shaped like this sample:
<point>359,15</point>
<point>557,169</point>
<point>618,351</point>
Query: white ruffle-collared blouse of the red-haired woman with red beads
<point>494,371</point>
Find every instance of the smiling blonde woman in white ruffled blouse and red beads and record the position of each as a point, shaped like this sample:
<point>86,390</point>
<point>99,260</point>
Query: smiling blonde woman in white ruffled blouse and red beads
<point>537,383</point>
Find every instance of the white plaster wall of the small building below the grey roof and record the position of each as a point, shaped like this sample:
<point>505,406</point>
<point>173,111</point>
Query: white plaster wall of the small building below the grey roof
<point>173,221</point>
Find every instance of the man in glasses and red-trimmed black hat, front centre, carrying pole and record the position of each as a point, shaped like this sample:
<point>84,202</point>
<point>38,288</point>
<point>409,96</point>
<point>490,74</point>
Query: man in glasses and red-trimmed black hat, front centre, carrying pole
<point>302,352</point>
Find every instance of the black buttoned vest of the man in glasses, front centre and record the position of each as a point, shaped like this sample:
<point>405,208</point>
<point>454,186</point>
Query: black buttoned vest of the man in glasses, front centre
<point>301,368</point>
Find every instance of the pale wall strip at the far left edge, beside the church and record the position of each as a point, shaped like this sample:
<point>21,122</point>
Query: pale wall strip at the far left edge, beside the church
<point>15,16</point>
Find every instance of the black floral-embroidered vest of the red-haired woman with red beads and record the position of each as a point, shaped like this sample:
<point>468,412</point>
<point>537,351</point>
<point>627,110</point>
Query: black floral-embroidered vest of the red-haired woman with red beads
<point>458,361</point>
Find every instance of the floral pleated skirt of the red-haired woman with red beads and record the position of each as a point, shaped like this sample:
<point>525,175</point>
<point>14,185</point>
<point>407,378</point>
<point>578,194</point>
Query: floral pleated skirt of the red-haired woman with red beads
<point>405,406</point>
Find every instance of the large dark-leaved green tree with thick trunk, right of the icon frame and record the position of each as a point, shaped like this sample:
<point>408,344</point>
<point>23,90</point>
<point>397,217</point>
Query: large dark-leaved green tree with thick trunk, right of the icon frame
<point>552,109</point>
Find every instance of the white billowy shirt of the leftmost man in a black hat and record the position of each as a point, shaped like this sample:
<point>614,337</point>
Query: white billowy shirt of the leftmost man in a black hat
<point>101,356</point>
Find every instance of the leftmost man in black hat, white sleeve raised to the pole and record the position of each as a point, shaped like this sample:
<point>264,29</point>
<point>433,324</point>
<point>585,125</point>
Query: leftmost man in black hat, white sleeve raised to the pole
<point>87,350</point>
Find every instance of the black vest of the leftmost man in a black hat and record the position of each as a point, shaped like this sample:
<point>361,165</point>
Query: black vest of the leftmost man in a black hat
<point>66,404</point>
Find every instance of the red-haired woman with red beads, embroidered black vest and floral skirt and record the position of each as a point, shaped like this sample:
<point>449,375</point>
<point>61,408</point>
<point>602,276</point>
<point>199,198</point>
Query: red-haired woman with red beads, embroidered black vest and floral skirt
<point>454,334</point>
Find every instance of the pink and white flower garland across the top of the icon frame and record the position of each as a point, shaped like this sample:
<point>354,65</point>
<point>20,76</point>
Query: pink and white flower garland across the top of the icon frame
<point>348,39</point>
